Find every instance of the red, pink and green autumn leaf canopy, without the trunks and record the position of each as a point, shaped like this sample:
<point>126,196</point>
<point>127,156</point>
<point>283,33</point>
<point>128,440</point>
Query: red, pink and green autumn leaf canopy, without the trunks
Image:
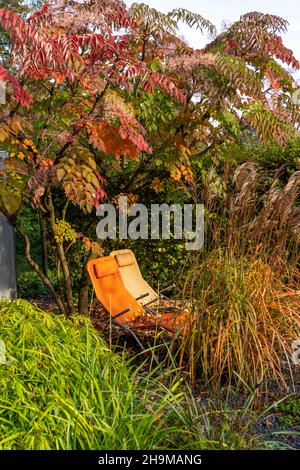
<point>76,69</point>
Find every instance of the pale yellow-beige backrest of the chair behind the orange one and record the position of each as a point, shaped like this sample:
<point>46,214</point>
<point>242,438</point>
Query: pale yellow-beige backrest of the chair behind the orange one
<point>132,277</point>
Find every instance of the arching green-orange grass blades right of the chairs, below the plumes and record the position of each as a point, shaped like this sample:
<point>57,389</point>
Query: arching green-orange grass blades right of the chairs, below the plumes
<point>246,321</point>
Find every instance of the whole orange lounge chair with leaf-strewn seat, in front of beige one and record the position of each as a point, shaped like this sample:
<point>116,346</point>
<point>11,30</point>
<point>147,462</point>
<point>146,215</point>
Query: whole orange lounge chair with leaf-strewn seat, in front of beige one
<point>125,310</point>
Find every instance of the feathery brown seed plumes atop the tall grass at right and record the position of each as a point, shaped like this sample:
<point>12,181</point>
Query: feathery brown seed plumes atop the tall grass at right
<point>248,222</point>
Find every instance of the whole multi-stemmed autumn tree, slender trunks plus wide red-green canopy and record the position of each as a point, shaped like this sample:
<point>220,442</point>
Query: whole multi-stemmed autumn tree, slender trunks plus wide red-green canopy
<point>97,75</point>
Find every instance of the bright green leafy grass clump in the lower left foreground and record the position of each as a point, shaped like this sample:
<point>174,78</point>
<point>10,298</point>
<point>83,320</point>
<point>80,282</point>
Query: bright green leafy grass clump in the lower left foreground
<point>62,388</point>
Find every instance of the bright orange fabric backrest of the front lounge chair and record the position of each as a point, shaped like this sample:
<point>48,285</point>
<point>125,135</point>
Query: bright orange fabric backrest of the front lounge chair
<point>110,289</point>
